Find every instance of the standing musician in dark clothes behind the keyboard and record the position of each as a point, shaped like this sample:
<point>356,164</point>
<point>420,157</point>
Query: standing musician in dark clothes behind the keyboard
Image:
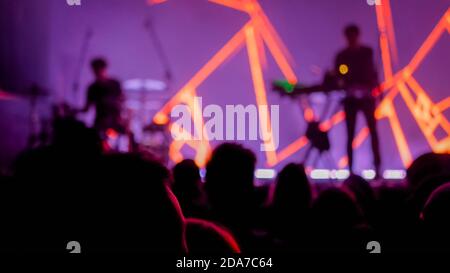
<point>357,74</point>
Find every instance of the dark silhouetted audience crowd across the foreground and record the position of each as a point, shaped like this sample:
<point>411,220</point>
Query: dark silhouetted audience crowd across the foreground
<point>71,190</point>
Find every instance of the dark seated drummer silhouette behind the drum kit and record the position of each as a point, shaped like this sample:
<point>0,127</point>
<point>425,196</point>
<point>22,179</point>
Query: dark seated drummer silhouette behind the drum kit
<point>106,96</point>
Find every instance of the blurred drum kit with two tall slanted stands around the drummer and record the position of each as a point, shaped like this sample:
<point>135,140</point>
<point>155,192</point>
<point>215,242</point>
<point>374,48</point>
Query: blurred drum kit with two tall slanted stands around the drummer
<point>143,97</point>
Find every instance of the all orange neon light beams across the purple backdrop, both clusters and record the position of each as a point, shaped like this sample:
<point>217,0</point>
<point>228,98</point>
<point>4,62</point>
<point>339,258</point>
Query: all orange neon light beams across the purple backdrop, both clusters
<point>259,31</point>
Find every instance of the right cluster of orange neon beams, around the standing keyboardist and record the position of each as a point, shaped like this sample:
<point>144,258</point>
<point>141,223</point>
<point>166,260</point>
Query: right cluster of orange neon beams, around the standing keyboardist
<point>386,108</point>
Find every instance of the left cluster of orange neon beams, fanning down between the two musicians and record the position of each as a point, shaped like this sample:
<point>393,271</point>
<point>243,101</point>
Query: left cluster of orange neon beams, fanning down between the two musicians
<point>254,34</point>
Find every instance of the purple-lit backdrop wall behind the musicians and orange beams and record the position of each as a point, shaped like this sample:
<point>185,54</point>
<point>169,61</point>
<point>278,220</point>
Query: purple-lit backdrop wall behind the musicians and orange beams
<point>41,42</point>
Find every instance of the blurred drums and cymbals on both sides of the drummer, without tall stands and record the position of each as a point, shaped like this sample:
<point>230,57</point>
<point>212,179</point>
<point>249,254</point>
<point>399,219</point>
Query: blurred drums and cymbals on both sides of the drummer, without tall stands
<point>142,99</point>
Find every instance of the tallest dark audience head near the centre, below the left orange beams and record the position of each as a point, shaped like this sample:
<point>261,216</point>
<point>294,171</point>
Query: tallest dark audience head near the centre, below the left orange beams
<point>229,178</point>
